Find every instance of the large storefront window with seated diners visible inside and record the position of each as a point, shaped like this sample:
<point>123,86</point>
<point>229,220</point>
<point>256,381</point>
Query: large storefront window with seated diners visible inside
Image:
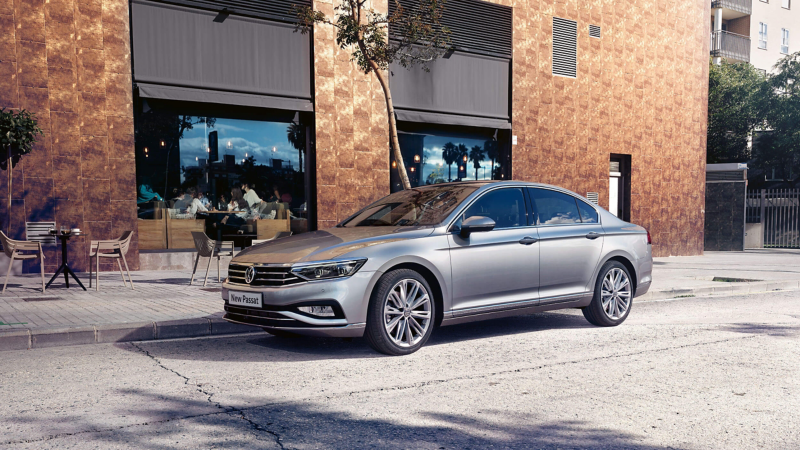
<point>233,174</point>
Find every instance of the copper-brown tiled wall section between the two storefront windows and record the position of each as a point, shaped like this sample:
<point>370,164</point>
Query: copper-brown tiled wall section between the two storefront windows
<point>352,131</point>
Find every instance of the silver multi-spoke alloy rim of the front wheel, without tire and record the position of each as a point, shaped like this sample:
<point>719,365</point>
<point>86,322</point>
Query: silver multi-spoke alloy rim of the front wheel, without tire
<point>407,312</point>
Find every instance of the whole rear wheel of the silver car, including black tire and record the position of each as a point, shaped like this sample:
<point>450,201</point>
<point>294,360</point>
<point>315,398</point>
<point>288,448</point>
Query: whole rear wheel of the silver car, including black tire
<point>619,298</point>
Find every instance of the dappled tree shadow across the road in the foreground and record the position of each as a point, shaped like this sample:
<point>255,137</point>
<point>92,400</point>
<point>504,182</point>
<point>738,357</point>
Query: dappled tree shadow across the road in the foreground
<point>171,420</point>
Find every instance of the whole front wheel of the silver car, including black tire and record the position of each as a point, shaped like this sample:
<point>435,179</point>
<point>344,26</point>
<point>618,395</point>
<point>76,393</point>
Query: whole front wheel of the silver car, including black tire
<point>401,313</point>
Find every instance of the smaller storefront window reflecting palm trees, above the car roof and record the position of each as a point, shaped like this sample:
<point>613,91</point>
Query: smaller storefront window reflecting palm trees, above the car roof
<point>443,154</point>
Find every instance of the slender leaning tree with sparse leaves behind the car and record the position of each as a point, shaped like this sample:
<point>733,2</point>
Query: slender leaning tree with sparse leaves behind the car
<point>421,38</point>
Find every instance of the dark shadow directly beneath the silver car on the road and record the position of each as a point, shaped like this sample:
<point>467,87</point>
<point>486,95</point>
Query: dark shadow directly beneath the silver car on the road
<point>264,347</point>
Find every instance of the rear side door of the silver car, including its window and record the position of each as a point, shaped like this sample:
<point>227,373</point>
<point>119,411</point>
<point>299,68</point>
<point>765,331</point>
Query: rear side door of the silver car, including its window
<point>570,243</point>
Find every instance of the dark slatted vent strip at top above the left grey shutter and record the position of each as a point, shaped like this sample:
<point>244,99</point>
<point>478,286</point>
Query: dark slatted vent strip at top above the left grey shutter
<point>265,9</point>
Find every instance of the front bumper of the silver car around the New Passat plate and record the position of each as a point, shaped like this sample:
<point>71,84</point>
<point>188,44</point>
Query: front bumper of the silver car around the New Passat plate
<point>348,296</point>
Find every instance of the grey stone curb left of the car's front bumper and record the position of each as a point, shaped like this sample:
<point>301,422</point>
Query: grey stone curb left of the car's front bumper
<point>26,339</point>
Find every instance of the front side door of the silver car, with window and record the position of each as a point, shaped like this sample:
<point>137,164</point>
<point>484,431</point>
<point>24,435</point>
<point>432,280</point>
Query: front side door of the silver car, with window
<point>498,266</point>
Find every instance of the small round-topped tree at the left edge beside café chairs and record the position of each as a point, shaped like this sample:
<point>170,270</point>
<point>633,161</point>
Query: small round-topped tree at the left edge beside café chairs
<point>18,133</point>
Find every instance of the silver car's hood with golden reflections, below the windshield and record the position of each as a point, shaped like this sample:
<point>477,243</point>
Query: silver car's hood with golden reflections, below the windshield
<point>325,244</point>
